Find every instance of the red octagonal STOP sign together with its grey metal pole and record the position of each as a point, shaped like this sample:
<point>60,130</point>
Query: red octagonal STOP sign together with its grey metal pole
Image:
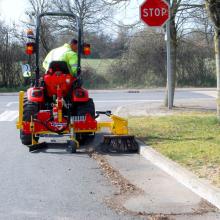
<point>155,13</point>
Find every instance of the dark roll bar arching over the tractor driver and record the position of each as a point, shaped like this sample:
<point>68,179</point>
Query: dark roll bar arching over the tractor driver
<point>79,28</point>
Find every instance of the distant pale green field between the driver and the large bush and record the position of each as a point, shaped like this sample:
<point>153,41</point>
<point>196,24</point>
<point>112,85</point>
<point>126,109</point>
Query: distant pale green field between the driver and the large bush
<point>100,65</point>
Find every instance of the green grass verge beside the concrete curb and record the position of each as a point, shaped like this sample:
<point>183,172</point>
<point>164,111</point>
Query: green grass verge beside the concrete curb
<point>189,139</point>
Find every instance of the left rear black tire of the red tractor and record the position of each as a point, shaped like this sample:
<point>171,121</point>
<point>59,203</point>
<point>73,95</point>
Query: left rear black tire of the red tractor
<point>30,109</point>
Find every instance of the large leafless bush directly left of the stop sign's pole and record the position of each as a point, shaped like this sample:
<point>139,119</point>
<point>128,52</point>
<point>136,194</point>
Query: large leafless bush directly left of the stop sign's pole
<point>138,65</point>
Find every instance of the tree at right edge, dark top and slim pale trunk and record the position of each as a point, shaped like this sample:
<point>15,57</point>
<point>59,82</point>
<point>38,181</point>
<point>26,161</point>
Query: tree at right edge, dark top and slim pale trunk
<point>213,8</point>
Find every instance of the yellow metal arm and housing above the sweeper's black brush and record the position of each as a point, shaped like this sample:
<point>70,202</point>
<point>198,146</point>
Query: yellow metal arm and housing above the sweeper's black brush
<point>118,125</point>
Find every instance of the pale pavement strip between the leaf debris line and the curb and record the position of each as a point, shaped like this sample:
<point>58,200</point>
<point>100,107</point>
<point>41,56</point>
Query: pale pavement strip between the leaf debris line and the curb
<point>162,194</point>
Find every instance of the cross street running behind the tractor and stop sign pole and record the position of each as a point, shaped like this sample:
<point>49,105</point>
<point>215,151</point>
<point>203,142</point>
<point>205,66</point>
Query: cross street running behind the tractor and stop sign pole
<point>115,99</point>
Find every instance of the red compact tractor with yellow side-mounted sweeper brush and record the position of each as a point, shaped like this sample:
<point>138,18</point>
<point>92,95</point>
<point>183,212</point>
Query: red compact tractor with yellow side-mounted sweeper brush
<point>58,105</point>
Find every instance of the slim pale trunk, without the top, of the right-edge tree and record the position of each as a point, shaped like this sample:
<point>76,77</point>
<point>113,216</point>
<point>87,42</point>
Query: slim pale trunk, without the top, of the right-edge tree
<point>217,57</point>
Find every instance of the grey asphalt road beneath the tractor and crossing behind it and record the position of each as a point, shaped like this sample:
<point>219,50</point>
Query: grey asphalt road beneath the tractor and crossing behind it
<point>54,184</point>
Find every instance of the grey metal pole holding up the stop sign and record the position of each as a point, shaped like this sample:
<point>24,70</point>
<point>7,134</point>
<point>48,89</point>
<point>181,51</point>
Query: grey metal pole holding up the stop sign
<point>169,69</point>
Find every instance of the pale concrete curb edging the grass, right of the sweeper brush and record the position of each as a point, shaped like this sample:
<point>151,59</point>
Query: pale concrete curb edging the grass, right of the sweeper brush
<point>182,175</point>
